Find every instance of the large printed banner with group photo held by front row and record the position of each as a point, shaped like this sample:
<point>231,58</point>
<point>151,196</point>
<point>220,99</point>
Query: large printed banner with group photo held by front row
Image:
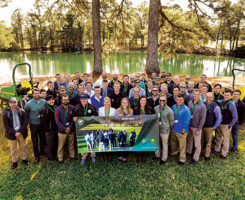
<point>103,134</point>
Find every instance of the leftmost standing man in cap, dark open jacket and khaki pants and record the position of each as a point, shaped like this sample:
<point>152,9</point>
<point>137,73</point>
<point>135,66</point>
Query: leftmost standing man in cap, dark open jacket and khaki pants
<point>15,122</point>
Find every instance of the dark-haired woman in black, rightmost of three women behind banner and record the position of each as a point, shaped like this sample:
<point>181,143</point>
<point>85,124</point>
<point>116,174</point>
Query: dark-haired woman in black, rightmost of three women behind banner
<point>142,109</point>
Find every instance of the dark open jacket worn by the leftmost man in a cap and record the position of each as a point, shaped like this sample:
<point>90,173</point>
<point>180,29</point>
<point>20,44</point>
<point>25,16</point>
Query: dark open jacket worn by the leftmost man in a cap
<point>8,123</point>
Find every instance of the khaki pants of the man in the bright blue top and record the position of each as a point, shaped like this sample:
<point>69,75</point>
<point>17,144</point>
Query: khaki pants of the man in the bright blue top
<point>178,145</point>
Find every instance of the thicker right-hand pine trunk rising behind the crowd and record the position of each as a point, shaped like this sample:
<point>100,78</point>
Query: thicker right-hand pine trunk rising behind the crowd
<point>152,48</point>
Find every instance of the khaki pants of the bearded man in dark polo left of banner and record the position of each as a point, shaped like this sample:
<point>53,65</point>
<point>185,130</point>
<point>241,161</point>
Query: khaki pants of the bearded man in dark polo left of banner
<point>61,143</point>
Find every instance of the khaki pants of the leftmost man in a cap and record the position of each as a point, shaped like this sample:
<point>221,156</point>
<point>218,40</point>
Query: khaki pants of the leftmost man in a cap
<point>13,148</point>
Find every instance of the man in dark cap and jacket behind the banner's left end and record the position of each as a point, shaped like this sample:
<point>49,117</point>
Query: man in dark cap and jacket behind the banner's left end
<point>82,110</point>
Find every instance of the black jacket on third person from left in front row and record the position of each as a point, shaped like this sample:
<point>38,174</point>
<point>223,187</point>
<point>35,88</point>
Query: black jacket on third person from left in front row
<point>48,119</point>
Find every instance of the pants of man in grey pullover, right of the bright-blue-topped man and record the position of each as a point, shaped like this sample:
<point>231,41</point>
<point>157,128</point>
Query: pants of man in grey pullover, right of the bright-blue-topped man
<point>197,142</point>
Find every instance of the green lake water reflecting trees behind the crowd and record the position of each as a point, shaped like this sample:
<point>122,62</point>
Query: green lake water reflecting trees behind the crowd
<point>46,64</point>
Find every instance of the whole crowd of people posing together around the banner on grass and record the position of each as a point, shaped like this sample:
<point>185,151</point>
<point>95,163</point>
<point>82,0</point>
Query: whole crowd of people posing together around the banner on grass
<point>189,115</point>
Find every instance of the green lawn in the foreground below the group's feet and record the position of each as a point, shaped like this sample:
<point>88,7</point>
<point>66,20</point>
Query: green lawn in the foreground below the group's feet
<point>216,179</point>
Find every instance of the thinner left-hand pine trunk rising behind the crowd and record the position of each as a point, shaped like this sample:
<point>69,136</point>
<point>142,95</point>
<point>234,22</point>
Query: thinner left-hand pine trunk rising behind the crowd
<point>96,37</point>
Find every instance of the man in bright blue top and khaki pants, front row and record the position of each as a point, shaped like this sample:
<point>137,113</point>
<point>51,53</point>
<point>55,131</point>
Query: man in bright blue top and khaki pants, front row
<point>182,117</point>
